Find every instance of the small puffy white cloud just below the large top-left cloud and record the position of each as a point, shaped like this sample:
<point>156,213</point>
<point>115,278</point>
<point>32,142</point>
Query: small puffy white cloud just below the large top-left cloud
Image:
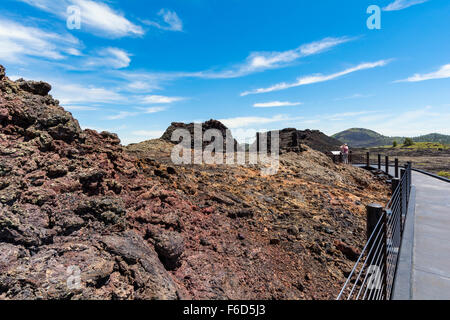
<point>109,57</point>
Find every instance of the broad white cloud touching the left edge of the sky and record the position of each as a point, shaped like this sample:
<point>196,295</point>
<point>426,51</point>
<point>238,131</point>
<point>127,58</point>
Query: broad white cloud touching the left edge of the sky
<point>18,40</point>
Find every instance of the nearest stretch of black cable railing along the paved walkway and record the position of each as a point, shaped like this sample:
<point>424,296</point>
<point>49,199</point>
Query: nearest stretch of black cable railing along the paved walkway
<point>373,275</point>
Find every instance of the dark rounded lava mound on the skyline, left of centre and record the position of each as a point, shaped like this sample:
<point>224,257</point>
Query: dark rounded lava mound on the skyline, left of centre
<point>210,124</point>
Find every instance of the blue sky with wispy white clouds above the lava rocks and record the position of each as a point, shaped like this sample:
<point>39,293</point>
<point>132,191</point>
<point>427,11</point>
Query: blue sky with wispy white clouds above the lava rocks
<point>135,66</point>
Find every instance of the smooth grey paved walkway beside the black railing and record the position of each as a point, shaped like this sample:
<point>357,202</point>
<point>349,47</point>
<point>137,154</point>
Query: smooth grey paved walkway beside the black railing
<point>431,250</point>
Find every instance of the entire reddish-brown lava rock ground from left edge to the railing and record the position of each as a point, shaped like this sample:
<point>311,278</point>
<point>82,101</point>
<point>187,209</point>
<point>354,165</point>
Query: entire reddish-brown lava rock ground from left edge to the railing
<point>138,227</point>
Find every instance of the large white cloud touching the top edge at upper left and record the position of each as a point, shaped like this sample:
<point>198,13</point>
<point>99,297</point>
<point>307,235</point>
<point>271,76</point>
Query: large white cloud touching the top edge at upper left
<point>96,16</point>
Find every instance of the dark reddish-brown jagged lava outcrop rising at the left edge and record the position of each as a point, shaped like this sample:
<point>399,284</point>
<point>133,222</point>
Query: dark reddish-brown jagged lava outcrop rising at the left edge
<point>68,209</point>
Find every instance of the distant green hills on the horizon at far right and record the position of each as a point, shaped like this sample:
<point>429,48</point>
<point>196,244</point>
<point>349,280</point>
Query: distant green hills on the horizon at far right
<point>363,138</point>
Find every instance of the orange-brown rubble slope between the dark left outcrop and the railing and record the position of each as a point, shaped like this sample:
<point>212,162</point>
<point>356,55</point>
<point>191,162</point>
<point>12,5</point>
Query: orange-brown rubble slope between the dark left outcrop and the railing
<point>293,235</point>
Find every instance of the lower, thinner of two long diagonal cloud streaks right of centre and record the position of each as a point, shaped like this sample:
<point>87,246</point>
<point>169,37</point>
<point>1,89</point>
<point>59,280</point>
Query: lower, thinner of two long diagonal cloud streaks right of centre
<point>317,78</point>
